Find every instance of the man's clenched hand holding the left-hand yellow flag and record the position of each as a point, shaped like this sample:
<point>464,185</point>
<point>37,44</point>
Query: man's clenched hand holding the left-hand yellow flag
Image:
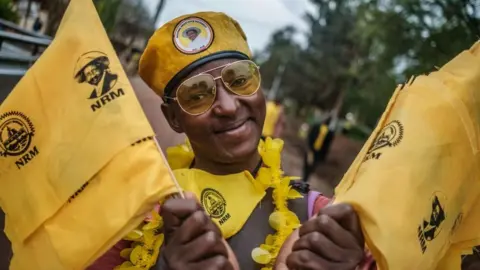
<point>192,240</point>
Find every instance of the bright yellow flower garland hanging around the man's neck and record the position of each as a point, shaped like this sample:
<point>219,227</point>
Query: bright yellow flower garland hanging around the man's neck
<point>147,239</point>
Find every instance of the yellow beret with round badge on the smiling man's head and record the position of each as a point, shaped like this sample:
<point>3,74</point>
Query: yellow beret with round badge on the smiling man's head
<point>187,42</point>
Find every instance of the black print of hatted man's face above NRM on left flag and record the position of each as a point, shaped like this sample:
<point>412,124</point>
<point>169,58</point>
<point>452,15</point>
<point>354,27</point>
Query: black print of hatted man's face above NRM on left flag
<point>93,70</point>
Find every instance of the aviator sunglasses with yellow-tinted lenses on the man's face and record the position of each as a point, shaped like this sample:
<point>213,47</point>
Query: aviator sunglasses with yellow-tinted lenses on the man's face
<point>197,94</point>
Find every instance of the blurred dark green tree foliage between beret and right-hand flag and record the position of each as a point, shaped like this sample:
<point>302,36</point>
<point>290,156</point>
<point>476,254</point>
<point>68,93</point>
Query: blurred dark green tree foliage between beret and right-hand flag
<point>358,50</point>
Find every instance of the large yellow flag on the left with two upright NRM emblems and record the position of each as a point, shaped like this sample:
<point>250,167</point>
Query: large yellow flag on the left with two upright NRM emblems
<point>79,165</point>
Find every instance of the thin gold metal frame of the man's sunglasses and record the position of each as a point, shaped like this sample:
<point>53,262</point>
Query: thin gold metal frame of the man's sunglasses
<point>215,85</point>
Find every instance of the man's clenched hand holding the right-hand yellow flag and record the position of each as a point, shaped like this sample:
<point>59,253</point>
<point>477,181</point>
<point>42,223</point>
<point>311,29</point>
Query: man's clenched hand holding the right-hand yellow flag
<point>332,240</point>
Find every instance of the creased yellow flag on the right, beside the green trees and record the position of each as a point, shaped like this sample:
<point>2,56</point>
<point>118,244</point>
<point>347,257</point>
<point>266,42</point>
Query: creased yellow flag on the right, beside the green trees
<point>416,182</point>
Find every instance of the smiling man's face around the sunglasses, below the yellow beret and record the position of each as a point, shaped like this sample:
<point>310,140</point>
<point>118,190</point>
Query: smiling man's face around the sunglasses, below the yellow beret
<point>229,132</point>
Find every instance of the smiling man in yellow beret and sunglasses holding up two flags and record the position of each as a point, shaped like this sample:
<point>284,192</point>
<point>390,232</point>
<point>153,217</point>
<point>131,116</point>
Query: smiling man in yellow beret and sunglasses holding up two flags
<point>211,91</point>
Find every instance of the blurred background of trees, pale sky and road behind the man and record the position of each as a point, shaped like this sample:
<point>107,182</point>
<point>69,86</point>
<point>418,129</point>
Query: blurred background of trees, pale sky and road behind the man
<point>331,65</point>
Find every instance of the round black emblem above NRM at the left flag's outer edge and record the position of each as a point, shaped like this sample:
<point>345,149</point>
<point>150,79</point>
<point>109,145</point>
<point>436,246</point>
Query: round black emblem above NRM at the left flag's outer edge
<point>16,135</point>
